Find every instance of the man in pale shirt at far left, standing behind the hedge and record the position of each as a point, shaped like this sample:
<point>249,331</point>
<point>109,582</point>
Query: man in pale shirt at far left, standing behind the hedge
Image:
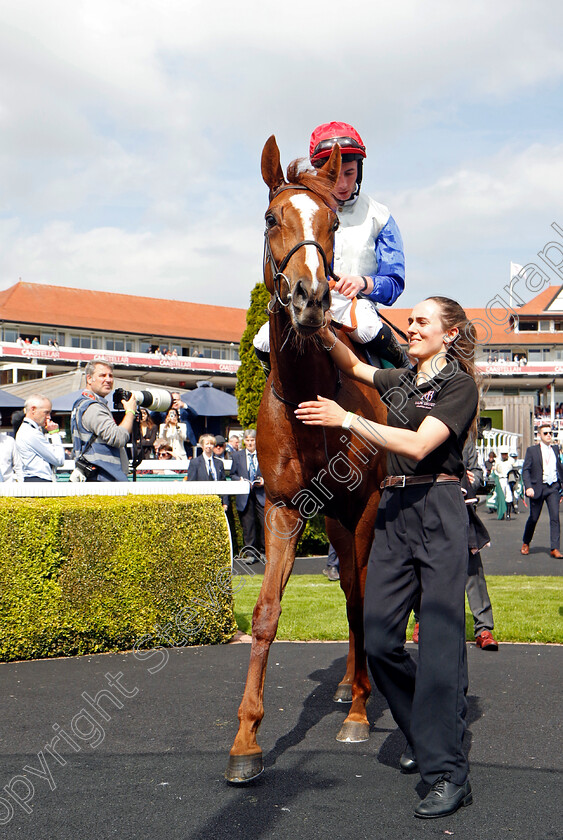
<point>38,441</point>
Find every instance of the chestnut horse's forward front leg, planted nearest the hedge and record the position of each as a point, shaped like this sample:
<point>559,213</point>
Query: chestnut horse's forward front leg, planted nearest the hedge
<point>283,528</point>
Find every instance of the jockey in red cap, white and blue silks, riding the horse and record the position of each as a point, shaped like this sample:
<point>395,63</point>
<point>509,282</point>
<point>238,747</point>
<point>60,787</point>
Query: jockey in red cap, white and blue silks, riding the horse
<point>368,251</point>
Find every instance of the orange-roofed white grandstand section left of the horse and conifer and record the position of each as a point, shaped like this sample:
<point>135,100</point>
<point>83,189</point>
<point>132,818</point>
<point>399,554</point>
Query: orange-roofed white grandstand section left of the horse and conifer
<point>48,330</point>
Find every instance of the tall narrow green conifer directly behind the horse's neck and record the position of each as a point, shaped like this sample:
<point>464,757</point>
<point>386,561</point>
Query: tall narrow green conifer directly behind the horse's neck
<point>250,377</point>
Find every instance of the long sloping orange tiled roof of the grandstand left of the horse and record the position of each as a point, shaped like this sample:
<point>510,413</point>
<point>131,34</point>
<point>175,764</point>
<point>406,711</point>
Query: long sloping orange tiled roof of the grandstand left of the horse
<point>59,306</point>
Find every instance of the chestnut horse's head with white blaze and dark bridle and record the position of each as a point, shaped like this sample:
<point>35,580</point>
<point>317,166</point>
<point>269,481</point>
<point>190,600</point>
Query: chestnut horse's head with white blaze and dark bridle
<point>300,225</point>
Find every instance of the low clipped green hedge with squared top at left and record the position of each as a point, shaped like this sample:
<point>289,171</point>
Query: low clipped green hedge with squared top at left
<point>91,574</point>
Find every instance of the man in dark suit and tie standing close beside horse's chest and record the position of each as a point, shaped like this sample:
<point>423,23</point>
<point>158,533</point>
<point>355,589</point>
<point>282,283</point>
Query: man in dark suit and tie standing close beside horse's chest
<point>250,508</point>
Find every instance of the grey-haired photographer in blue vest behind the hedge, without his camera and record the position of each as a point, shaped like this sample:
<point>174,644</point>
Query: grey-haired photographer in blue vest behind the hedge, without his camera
<point>97,439</point>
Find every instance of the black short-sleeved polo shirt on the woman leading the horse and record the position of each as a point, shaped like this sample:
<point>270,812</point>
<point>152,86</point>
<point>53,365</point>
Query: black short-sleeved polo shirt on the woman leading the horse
<point>451,396</point>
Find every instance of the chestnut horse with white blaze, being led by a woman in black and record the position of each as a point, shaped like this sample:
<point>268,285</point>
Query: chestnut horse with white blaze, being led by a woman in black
<point>307,469</point>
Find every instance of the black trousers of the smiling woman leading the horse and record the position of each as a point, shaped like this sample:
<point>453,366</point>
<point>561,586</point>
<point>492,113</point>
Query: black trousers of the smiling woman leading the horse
<point>420,552</point>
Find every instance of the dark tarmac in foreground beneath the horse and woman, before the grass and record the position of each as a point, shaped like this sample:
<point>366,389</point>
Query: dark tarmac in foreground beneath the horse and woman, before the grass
<point>148,741</point>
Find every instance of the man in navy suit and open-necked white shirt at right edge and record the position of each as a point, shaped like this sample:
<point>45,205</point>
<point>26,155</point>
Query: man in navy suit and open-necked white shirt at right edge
<point>542,474</point>
